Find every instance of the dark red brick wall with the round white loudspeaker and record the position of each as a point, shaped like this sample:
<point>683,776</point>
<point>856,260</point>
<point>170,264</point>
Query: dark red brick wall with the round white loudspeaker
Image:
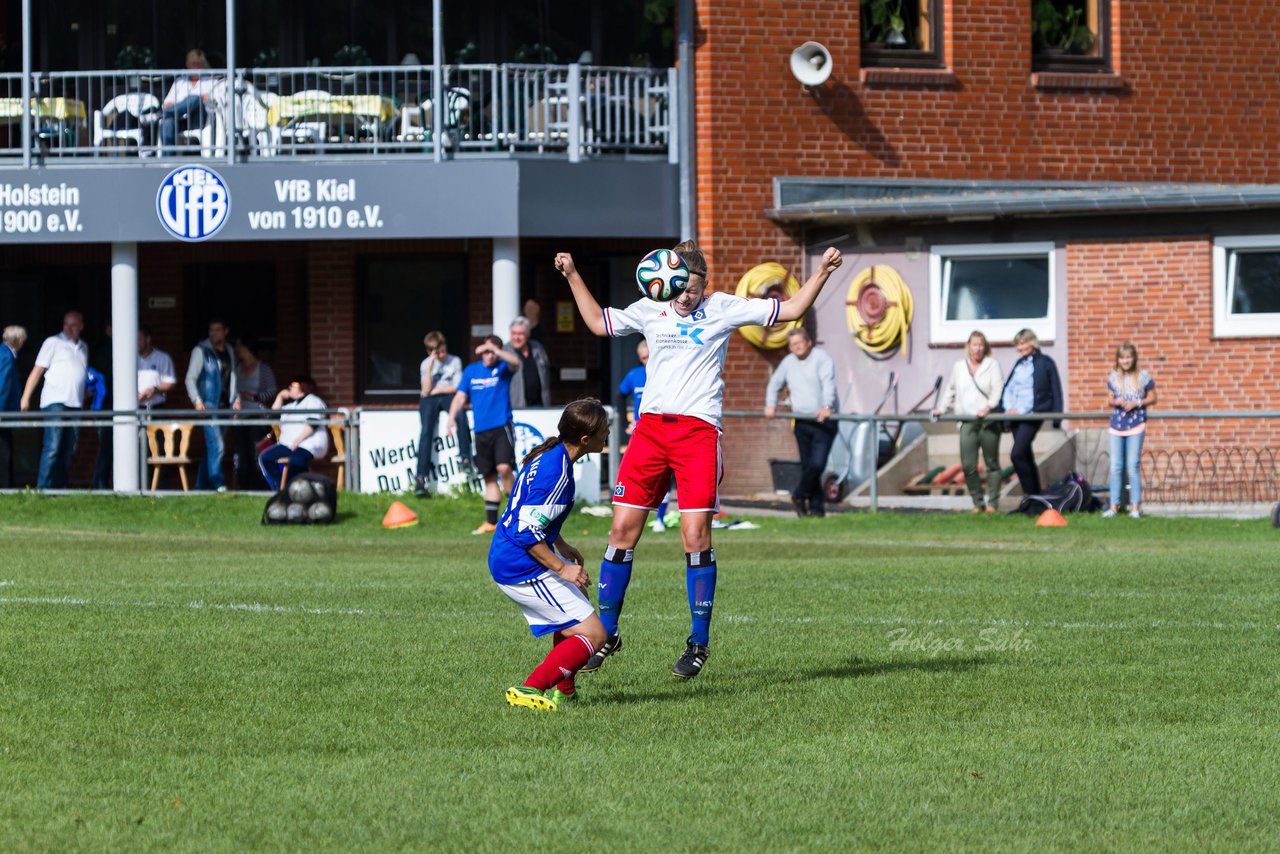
<point>1192,109</point>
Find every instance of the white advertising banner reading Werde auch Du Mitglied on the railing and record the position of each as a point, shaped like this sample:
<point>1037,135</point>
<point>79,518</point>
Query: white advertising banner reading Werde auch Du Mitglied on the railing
<point>388,453</point>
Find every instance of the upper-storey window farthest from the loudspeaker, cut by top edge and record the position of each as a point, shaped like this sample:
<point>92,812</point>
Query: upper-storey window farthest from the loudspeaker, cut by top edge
<point>1071,35</point>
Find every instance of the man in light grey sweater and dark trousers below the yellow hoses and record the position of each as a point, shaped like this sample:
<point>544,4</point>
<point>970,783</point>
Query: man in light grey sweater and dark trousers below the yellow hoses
<point>810,376</point>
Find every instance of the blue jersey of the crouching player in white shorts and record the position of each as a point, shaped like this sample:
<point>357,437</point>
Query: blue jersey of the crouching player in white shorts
<point>540,505</point>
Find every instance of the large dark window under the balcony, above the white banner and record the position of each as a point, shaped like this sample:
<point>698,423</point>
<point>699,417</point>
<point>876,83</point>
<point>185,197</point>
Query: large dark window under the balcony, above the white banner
<point>401,300</point>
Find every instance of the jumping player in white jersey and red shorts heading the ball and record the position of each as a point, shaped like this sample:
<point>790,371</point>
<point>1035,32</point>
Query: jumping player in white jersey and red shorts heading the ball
<point>679,430</point>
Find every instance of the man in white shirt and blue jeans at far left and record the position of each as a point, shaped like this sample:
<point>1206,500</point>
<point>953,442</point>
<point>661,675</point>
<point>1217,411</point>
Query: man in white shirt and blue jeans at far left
<point>63,364</point>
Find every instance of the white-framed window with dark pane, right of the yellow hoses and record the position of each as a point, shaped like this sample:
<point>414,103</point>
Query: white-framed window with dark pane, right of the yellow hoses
<point>996,289</point>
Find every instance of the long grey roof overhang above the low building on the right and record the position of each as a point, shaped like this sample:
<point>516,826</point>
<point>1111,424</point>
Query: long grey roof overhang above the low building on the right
<point>838,202</point>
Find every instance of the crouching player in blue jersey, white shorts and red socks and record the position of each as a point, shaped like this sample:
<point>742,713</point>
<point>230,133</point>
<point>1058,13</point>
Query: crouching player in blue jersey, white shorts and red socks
<point>543,574</point>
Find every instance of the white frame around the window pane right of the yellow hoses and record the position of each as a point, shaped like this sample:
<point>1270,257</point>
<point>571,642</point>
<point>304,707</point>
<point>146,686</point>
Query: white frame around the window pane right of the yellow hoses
<point>957,332</point>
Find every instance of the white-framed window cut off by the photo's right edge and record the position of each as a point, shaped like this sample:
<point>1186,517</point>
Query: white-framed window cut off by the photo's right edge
<point>1247,286</point>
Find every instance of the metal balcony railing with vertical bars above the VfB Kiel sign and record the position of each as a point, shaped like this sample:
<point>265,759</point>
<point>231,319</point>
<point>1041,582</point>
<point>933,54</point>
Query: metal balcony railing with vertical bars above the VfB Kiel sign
<point>574,112</point>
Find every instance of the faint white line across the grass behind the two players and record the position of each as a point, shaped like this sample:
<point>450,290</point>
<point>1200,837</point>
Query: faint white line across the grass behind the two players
<point>284,610</point>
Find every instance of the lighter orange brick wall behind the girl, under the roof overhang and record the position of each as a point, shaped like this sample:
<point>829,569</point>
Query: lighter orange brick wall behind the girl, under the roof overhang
<point>1158,295</point>
